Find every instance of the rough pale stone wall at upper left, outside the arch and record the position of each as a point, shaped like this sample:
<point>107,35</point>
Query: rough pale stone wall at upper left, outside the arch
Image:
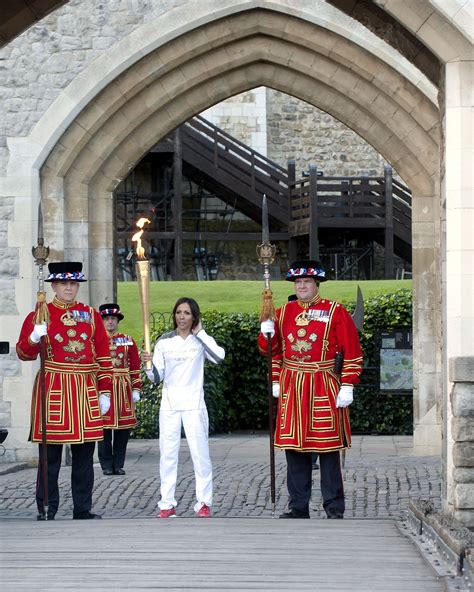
<point>42,61</point>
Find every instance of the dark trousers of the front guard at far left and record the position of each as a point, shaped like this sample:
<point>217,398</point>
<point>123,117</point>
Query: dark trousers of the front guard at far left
<point>82,477</point>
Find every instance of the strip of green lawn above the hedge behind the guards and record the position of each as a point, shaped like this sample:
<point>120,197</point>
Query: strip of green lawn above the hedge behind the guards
<point>233,296</point>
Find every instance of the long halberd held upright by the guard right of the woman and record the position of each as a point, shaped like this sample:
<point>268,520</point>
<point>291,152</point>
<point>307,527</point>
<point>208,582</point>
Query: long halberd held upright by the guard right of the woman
<point>266,256</point>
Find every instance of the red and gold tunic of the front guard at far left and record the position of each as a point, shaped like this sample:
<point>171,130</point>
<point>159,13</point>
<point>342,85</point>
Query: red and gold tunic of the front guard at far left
<point>77,368</point>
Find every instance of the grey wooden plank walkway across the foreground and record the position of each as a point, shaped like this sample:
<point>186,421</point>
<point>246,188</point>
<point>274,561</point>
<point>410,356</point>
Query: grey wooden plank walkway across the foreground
<point>211,554</point>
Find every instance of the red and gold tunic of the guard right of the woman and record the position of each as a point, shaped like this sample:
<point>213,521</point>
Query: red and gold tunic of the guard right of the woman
<point>307,338</point>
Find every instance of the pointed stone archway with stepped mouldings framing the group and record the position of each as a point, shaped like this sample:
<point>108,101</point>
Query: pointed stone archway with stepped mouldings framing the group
<point>158,92</point>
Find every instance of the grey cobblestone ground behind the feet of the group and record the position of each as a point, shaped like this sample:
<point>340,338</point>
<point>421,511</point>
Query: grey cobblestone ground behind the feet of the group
<point>376,486</point>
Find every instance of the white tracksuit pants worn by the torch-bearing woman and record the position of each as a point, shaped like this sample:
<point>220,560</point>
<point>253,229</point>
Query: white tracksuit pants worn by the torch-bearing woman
<point>196,428</point>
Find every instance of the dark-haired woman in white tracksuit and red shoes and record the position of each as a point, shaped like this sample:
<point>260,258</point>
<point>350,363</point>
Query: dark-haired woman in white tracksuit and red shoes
<point>178,362</point>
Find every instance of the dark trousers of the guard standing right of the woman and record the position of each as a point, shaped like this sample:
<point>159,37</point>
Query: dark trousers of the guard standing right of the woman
<point>299,481</point>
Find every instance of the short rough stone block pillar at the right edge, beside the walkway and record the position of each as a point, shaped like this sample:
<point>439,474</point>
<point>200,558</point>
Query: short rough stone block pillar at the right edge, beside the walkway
<point>461,375</point>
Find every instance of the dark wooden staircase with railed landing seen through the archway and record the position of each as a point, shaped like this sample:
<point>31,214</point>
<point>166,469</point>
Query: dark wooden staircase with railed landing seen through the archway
<point>316,209</point>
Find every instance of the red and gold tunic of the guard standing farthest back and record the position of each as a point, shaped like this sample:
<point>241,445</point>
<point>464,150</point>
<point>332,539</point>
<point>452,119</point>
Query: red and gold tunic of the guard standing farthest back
<point>126,377</point>
